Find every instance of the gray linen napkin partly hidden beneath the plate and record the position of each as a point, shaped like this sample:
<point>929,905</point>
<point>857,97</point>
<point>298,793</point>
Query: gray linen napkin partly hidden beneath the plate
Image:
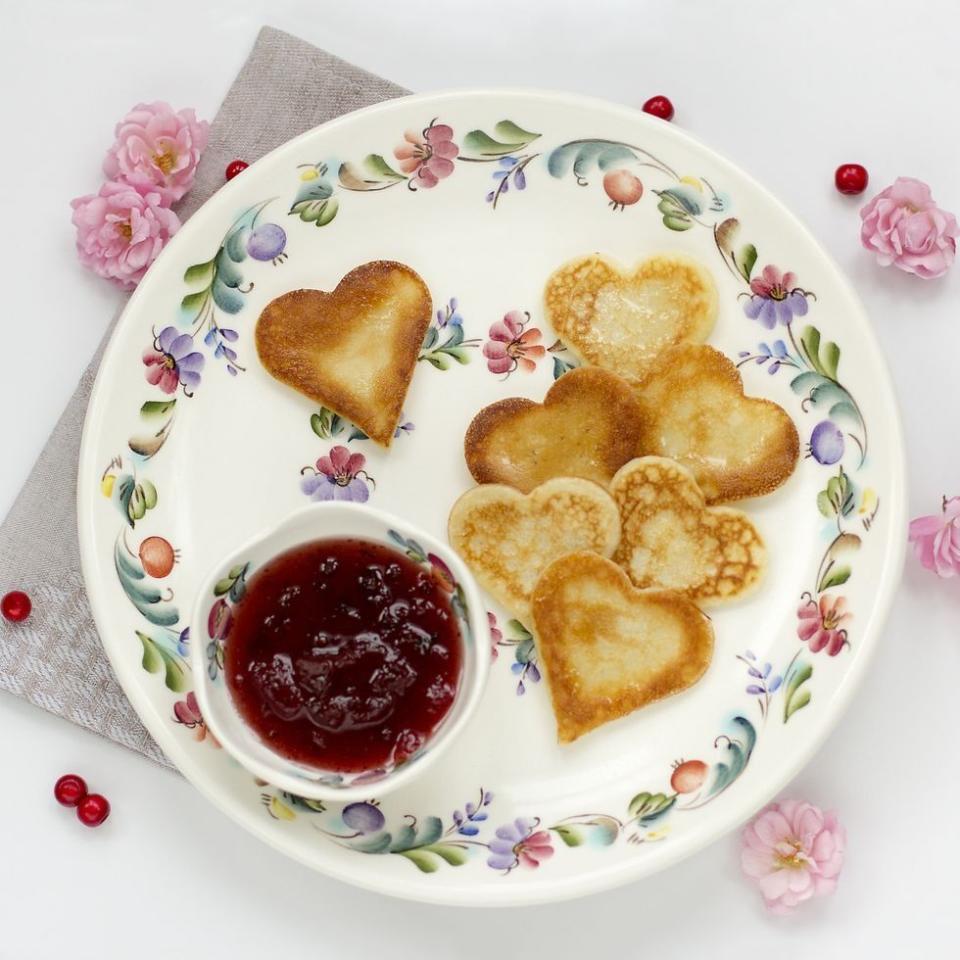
<point>55,659</point>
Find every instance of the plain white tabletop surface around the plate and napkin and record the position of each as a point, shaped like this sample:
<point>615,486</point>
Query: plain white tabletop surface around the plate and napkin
<point>787,91</point>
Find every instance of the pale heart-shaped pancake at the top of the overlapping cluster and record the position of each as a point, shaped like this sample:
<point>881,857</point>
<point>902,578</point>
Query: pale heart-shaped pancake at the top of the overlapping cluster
<point>623,319</point>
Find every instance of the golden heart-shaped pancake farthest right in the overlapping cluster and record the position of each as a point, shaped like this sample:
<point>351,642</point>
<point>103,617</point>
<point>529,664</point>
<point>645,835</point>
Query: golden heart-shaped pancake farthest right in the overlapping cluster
<point>695,412</point>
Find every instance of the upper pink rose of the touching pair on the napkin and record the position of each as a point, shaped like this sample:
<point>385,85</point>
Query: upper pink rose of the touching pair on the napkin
<point>157,149</point>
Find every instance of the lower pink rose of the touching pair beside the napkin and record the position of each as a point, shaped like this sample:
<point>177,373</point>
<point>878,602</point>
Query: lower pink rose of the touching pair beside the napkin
<point>121,231</point>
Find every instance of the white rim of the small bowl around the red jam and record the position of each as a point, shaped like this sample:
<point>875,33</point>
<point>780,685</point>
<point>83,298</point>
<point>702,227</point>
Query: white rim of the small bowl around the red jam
<point>470,693</point>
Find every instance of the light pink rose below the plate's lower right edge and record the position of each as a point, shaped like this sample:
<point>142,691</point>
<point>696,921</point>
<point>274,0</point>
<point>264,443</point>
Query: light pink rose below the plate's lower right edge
<point>794,851</point>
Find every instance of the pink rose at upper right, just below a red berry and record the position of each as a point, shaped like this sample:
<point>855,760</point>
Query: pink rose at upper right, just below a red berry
<point>904,226</point>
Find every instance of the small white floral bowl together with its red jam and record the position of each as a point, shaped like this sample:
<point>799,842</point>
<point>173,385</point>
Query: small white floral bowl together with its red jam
<point>341,652</point>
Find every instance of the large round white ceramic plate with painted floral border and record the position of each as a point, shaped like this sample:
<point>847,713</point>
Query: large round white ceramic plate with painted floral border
<point>511,187</point>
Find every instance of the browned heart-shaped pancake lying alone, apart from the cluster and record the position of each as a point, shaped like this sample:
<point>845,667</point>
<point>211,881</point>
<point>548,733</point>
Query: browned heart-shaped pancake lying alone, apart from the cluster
<point>354,349</point>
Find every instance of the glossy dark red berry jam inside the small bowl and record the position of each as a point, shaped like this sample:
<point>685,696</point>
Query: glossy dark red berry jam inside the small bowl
<point>344,654</point>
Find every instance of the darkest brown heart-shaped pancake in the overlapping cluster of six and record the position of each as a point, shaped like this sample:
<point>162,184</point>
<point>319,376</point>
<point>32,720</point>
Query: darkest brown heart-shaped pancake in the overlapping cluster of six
<point>586,427</point>
